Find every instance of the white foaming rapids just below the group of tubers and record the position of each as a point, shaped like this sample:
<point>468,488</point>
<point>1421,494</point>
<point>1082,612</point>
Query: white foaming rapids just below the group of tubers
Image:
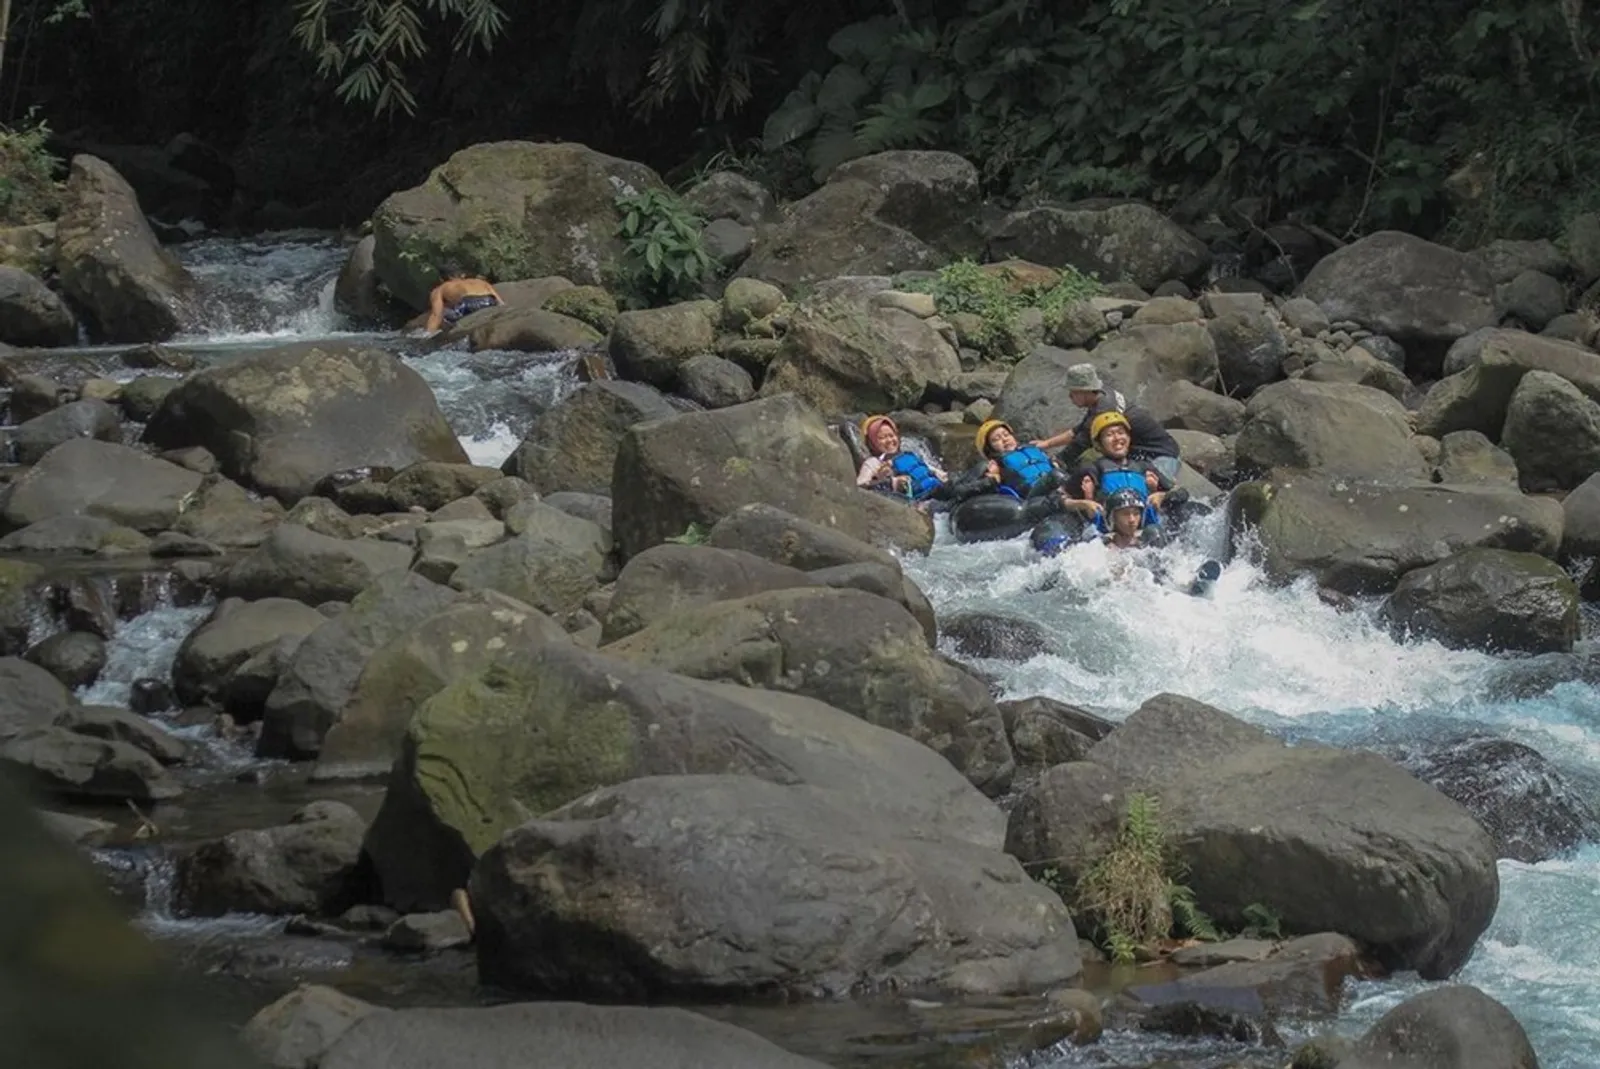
<point>1254,649</point>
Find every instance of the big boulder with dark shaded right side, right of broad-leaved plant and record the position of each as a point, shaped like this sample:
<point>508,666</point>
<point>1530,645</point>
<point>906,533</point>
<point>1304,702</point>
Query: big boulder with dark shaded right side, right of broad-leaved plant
<point>874,217</point>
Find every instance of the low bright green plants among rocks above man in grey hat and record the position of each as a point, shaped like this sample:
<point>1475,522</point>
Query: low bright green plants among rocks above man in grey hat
<point>998,302</point>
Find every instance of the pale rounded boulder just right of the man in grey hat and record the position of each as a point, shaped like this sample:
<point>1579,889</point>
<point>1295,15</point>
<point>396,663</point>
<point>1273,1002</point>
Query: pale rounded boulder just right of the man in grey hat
<point>1330,428</point>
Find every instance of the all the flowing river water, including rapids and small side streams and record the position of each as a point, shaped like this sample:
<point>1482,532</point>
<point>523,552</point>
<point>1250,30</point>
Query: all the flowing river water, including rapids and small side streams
<point>1274,655</point>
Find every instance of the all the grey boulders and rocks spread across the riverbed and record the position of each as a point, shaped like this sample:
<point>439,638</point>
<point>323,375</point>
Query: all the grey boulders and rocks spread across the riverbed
<point>658,713</point>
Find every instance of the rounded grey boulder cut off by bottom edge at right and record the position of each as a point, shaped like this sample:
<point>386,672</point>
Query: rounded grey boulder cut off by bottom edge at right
<point>1446,1028</point>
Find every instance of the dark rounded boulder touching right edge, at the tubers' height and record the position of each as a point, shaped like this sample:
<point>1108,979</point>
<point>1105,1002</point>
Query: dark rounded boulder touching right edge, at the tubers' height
<point>1553,433</point>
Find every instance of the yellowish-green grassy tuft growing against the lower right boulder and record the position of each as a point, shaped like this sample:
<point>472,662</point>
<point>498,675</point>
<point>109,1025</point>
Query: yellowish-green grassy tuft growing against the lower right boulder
<point>1134,895</point>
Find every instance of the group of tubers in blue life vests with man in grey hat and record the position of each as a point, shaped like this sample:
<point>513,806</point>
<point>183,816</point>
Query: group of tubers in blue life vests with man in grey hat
<point>1121,497</point>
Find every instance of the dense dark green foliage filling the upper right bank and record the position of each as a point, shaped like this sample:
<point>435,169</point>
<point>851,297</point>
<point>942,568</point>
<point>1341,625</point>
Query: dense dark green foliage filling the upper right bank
<point>1353,111</point>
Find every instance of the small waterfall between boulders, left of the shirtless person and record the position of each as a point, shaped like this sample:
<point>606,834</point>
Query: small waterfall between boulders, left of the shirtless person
<point>266,287</point>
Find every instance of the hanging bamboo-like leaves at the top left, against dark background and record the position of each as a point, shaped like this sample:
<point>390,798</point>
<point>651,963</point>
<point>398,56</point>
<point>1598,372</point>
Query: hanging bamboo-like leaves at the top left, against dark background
<point>369,44</point>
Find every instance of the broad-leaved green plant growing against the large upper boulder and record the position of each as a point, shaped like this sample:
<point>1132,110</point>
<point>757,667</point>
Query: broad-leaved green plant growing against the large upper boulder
<point>665,258</point>
